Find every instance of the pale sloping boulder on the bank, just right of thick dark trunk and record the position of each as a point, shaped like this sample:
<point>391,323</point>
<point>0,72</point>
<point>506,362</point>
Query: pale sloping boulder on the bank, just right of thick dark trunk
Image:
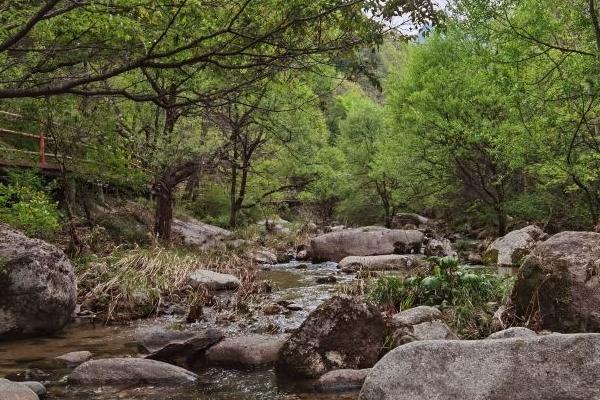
<point>197,234</point>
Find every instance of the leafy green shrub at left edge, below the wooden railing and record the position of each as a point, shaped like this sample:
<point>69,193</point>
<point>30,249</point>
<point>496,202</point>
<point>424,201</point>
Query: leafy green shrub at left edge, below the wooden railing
<point>26,205</point>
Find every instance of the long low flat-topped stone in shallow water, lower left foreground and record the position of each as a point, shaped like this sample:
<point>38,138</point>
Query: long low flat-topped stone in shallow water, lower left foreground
<point>118,371</point>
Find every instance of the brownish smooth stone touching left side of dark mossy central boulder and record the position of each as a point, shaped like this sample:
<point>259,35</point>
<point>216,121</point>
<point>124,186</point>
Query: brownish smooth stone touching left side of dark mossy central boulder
<point>246,351</point>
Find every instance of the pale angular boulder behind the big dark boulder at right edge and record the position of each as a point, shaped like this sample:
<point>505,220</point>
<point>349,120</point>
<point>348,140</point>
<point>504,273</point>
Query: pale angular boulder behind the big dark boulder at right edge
<point>509,250</point>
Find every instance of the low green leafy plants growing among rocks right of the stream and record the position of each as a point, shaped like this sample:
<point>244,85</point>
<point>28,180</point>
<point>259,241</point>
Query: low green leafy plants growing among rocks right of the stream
<point>461,293</point>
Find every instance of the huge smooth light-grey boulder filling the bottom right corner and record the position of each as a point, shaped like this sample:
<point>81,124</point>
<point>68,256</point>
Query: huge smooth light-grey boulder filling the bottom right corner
<point>554,367</point>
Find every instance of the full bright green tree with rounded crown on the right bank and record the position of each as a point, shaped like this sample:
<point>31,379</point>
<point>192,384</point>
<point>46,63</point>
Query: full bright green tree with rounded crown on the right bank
<point>461,118</point>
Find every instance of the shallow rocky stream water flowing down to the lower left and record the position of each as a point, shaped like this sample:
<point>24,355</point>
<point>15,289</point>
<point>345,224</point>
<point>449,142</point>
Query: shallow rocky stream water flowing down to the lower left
<point>292,282</point>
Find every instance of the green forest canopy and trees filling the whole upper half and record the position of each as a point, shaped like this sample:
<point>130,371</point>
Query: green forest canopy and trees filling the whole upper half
<point>487,116</point>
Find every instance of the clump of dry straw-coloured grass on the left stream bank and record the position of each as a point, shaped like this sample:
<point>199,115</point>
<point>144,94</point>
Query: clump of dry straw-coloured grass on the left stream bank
<point>141,282</point>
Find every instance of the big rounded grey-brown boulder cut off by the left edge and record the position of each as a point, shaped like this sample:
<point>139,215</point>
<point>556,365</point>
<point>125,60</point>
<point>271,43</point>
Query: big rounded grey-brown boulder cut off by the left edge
<point>38,292</point>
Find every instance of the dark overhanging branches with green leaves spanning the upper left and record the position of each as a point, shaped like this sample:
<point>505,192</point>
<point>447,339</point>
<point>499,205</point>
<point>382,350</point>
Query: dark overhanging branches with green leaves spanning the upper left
<point>82,47</point>
